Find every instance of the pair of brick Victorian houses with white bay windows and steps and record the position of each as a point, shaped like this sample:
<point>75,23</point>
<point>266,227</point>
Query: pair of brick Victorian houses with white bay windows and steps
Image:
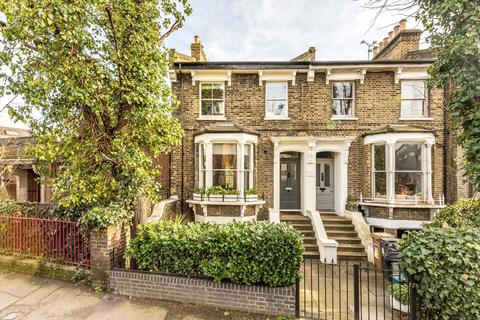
<point>300,140</point>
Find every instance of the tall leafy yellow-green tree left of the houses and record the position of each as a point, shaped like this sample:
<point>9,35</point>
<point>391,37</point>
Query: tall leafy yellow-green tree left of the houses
<point>95,72</point>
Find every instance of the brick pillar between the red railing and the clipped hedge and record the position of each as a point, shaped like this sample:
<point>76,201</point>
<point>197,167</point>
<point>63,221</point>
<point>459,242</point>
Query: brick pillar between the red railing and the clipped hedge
<point>107,247</point>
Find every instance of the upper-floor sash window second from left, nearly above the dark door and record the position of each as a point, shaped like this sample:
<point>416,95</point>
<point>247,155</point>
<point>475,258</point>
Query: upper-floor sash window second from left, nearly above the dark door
<point>276,100</point>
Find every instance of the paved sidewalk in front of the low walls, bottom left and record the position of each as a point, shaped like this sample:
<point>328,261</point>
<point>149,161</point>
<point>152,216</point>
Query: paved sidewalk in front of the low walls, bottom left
<point>27,298</point>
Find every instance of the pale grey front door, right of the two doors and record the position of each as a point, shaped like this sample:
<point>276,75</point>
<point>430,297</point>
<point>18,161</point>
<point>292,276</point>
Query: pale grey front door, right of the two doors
<point>324,184</point>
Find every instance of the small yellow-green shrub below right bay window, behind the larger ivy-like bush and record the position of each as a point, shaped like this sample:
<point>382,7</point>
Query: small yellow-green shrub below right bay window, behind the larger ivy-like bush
<point>464,213</point>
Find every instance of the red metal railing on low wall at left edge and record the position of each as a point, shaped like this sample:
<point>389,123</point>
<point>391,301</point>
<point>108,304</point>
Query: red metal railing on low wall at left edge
<point>52,239</point>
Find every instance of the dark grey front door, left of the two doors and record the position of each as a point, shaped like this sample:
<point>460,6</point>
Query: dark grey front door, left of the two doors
<point>290,180</point>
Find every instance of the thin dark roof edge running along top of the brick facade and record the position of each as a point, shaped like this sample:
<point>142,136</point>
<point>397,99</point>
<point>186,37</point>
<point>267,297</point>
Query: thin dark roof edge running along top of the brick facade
<point>243,65</point>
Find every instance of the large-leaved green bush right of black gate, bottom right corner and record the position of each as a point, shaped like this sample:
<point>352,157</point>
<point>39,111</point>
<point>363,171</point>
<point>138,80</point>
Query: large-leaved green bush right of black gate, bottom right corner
<point>445,267</point>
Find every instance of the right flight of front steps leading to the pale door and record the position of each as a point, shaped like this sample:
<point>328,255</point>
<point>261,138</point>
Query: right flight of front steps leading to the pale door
<point>343,231</point>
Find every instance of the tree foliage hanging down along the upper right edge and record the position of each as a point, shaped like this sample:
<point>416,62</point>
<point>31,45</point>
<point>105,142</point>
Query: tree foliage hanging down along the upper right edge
<point>454,28</point>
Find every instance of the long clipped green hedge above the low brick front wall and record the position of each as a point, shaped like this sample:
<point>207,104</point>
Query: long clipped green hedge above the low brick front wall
<point>240,252</point>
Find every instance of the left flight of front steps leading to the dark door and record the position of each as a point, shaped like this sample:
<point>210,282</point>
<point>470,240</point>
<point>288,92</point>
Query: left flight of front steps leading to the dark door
<point>303,225</point>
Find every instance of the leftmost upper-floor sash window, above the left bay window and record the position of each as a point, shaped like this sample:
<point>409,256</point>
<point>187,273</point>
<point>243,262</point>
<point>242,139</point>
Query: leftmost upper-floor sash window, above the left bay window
<point>212,100</point>
